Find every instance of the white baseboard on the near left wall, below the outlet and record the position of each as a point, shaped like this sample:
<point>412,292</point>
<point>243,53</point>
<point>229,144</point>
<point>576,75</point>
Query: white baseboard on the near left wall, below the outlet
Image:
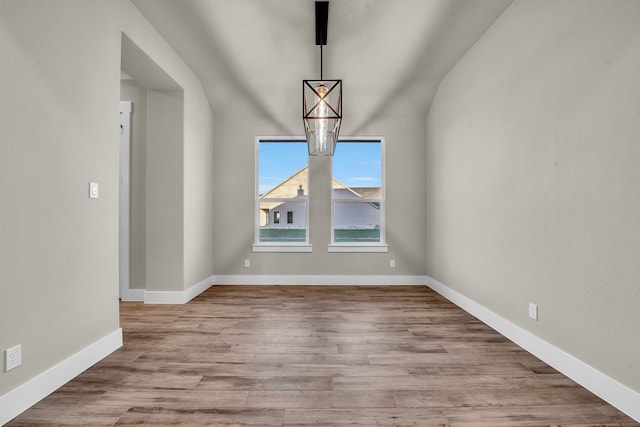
<point>28,394</point>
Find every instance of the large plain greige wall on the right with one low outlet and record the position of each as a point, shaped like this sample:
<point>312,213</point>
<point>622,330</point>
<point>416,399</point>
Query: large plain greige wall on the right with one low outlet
<point>532,169</point>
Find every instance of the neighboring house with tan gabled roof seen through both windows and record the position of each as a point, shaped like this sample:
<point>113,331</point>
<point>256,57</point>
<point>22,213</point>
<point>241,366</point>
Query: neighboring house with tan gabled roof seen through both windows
<point>292,214</point>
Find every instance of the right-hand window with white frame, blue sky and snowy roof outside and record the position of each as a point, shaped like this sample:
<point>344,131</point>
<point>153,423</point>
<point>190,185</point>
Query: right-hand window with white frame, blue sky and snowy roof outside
<point>358,196</point>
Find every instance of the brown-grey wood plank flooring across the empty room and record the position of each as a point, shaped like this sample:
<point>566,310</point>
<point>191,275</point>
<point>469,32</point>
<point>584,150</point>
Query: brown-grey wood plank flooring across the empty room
<point>317,356</point>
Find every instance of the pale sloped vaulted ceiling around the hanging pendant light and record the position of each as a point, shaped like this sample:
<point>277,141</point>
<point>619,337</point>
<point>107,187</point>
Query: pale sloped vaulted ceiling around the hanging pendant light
<point>390,54</point>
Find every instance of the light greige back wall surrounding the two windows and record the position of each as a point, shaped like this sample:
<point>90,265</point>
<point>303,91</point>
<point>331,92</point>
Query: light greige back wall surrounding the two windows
<point>235,133</point>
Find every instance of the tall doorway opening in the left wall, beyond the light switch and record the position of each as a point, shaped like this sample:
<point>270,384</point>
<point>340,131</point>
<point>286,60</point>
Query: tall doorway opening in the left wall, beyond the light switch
<point>151,175</point>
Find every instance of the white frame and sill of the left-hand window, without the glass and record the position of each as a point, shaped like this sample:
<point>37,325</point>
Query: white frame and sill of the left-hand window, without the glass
<point>276,246</point>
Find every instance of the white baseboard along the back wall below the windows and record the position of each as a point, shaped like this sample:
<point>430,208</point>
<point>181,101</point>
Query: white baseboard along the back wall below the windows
<point>317,280</point>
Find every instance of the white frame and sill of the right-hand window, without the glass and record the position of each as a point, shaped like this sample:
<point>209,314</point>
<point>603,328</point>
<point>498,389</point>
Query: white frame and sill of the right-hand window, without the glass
<point>380,246</point>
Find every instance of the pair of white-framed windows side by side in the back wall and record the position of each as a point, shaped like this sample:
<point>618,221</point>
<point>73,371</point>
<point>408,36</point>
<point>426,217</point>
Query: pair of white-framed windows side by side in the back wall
<point>357,196</point>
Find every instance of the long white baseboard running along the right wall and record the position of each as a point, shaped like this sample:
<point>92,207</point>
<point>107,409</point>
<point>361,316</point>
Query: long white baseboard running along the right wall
<point>608,389</point>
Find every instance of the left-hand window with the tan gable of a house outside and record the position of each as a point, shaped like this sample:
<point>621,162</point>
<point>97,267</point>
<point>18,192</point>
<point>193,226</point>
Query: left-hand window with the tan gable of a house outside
<point>282,186</point>
